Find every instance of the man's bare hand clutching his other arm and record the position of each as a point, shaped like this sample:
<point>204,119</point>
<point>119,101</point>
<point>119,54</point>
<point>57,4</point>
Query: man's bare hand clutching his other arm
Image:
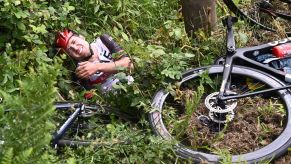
<point>86,69</point>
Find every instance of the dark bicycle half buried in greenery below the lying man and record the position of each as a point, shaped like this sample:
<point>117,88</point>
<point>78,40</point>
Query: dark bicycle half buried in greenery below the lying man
<point>76,125</point>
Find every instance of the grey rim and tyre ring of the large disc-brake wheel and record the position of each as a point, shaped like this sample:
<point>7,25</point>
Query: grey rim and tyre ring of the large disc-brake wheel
<point>271,151</point>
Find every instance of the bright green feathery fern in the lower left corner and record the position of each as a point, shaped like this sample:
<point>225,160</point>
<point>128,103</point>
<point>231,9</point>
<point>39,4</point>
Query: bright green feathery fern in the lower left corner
<point>25,127</point>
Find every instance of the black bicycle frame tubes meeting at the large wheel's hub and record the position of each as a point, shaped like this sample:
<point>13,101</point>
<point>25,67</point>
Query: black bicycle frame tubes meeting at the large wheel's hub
<point>244,55</point>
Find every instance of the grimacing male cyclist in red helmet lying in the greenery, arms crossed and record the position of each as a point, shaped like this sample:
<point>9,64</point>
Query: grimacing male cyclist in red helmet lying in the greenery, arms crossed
<point>96,64</point>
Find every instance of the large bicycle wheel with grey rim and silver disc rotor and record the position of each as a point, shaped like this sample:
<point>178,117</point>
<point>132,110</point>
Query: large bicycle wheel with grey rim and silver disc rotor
<point>247,130</point>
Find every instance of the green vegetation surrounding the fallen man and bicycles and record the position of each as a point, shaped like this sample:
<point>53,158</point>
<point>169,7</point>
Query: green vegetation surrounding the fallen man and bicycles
<point>32,76</point>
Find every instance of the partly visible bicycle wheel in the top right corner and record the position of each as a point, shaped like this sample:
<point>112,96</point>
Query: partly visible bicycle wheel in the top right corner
<point>272,15</point>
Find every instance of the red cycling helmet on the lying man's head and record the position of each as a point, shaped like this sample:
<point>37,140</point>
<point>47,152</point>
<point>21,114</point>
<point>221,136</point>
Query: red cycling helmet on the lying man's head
<point>63,38</point>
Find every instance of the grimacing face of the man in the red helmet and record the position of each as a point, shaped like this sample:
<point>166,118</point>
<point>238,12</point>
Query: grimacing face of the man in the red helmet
<point>78,48</point>
